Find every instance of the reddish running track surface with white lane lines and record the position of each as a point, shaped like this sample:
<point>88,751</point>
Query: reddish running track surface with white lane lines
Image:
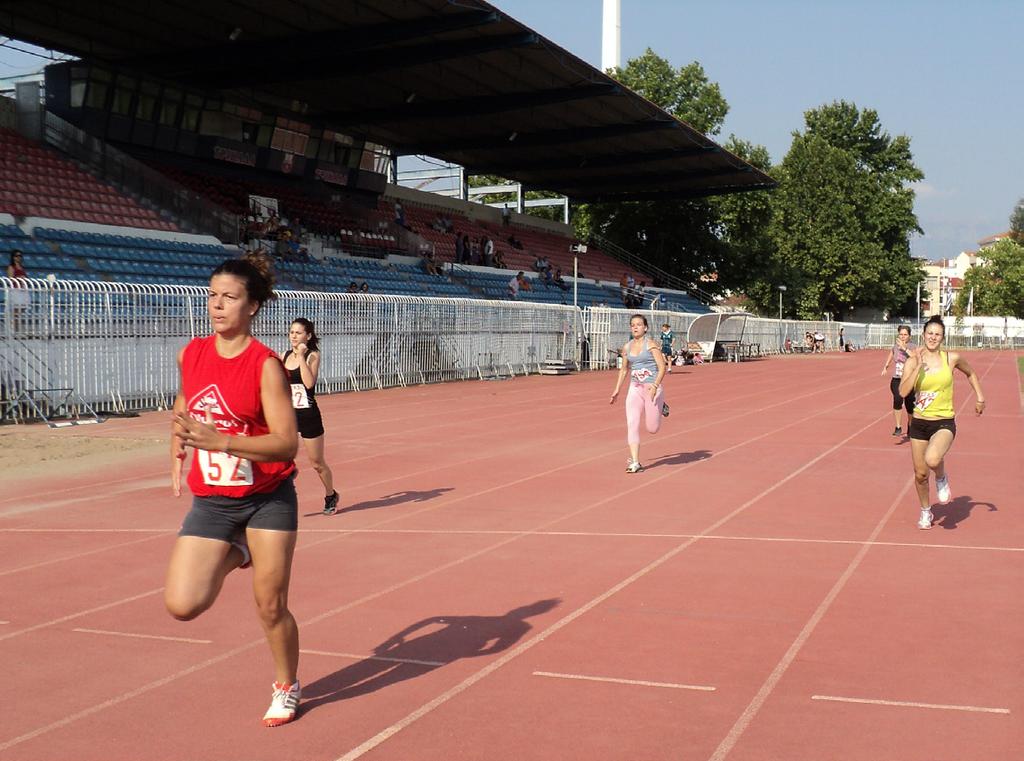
<point>499,588</point>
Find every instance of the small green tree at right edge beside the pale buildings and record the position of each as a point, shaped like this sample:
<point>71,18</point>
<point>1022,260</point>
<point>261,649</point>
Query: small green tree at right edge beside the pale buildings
<point>998,284</point>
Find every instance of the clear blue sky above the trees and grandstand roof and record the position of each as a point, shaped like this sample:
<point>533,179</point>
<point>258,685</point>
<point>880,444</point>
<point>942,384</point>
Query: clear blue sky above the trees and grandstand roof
<point>947,73</point>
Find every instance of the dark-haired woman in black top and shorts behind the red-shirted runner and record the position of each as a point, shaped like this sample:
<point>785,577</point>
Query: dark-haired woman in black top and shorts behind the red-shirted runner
<point>303,365</point>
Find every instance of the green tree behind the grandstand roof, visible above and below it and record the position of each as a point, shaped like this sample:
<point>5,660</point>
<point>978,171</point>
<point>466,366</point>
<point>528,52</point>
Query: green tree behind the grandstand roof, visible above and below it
<point>680,237</point>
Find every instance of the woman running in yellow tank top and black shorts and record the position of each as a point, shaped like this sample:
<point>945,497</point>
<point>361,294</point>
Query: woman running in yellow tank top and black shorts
<point>929,373</point>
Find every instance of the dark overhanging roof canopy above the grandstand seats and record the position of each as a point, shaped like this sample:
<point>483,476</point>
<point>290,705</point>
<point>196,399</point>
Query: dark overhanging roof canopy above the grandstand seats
<point>461,81</point>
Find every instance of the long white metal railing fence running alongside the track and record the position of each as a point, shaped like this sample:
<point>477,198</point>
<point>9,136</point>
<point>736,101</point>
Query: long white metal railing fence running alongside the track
<point>115,344</point>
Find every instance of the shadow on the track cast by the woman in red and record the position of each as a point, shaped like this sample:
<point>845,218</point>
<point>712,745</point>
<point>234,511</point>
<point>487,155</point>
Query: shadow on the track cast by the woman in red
<point>445,640</point>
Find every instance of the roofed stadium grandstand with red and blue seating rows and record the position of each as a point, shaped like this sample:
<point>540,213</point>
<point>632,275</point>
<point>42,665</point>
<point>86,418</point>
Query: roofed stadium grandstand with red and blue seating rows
<point>312,132</point>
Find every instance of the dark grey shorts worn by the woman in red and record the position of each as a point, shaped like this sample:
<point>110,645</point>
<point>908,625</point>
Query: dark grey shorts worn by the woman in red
<point>225,518</point>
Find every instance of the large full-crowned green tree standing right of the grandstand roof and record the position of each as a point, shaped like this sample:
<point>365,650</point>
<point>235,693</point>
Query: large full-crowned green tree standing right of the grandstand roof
<point>844,215</point>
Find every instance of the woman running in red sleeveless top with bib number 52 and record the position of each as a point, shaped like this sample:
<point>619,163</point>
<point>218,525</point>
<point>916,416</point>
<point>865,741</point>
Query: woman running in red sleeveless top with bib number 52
<point>235,412</point>
